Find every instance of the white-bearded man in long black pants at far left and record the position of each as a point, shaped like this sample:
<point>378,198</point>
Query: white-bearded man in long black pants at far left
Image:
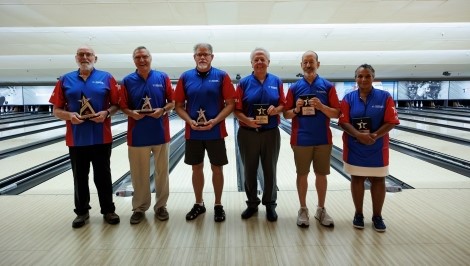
<point>85,99</point>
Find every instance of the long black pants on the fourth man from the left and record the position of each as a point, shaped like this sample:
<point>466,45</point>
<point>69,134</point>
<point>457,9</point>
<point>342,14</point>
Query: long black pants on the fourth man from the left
<point>261,147</point>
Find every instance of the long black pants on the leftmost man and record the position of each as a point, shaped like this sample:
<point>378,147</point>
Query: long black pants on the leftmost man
<point>99,156</point>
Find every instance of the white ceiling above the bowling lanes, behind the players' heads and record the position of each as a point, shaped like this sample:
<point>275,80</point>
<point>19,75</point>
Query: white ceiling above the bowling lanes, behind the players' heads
<point>408,39</point>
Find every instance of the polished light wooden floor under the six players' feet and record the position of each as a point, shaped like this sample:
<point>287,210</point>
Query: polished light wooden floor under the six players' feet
<point>425,227</point>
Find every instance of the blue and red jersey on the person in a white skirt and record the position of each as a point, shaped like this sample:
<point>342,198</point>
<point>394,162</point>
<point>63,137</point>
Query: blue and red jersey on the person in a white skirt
<point>380,107</point>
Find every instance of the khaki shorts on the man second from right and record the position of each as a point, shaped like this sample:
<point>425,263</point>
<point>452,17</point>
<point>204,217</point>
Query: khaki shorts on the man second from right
<point>318,156</point>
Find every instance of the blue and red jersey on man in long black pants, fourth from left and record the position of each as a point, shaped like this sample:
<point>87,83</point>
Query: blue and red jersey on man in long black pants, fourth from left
<point>251,91</point>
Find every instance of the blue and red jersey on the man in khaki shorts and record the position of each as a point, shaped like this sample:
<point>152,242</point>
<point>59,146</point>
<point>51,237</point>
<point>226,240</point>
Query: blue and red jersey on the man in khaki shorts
<point>312,130</point>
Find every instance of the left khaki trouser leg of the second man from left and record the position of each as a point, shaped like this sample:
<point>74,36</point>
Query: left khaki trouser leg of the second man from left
<point>139,161</point>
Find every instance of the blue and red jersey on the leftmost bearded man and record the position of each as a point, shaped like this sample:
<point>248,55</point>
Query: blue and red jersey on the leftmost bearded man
<point>101,90</point>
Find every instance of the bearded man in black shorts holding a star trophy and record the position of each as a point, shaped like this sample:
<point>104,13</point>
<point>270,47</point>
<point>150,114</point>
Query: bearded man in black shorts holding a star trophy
<point>204,97</point>
